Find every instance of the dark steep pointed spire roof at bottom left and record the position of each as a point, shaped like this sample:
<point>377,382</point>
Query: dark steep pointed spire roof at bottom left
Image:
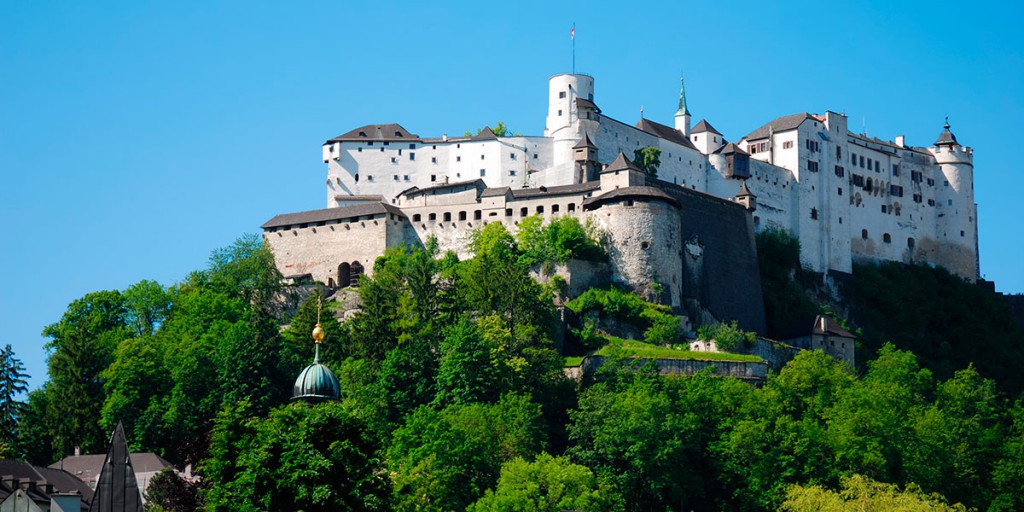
<point>117,490</point>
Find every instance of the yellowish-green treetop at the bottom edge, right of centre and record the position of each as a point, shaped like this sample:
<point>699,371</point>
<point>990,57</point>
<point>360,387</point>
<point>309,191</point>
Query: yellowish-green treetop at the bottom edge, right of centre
<point>863,494</point>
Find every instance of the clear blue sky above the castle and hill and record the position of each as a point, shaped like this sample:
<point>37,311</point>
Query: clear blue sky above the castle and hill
<point>137,138</point>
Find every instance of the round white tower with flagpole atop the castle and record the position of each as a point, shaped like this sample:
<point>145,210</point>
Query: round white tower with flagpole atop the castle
<point>564,123</point>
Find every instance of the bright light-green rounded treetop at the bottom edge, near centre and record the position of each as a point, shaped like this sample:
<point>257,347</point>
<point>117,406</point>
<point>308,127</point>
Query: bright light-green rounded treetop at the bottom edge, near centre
<point>548,484</point>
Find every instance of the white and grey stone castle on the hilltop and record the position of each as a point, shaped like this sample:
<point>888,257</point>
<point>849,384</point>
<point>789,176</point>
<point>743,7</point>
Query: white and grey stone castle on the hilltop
<point>690,229</point>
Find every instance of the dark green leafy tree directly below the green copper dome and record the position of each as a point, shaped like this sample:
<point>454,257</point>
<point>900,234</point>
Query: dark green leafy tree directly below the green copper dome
<point>302,457</point>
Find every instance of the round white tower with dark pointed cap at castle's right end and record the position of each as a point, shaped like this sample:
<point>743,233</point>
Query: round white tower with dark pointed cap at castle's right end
<point>957,225</point>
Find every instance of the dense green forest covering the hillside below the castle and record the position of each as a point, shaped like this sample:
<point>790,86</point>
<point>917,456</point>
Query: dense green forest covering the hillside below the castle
<point>454,396</point>
